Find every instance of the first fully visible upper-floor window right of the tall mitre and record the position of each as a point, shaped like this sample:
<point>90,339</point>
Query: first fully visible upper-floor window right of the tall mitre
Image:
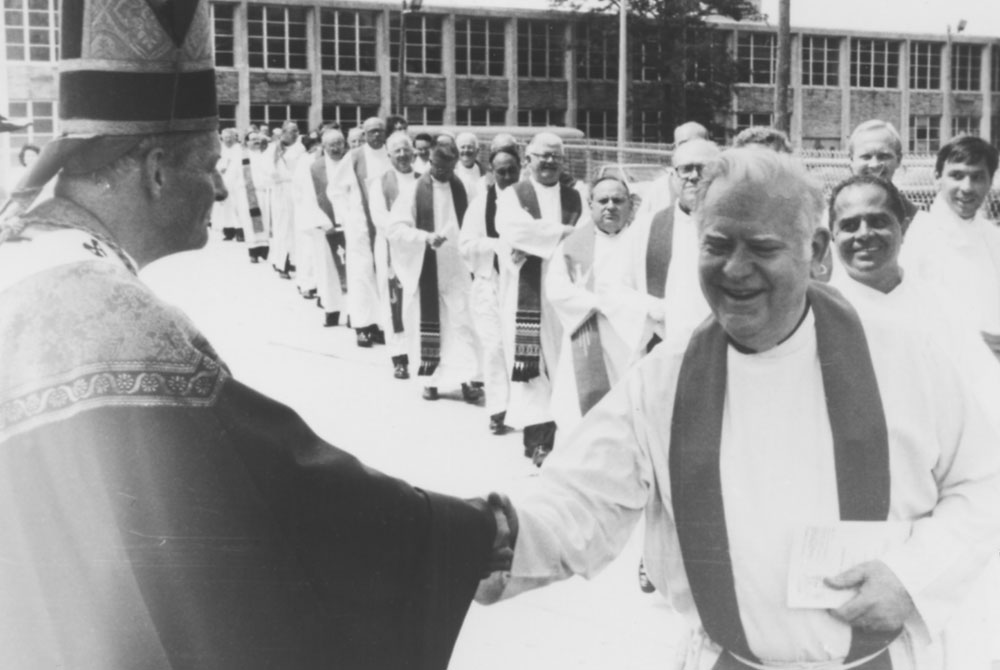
<point>277,37</point>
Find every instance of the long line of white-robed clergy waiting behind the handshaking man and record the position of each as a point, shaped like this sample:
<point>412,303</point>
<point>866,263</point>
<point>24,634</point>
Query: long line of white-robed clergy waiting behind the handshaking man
<point>512,281</point>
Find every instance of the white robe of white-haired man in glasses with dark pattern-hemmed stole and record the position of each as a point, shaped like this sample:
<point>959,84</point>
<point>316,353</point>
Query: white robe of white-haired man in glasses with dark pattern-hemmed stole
<point>530,401</point>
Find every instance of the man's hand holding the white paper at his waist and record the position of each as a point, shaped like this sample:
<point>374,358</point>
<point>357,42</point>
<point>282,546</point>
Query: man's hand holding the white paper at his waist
<point>881,605</point>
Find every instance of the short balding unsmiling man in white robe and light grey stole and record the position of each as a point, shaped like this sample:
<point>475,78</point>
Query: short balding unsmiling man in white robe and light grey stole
<point>599,319</point>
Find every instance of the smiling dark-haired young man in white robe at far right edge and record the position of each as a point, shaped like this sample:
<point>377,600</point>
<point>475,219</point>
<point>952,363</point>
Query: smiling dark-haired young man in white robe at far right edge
<point>954,246</point>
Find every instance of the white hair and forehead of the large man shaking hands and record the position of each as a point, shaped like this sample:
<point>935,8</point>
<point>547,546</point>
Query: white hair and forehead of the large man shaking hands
<point>752,183</point>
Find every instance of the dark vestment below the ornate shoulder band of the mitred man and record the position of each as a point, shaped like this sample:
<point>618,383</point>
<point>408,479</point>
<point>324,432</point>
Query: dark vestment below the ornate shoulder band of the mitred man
<point>226,537</point>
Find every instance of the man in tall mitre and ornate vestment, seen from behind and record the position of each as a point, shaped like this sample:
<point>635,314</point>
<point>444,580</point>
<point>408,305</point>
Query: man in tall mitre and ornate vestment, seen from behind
<point>155,512</point>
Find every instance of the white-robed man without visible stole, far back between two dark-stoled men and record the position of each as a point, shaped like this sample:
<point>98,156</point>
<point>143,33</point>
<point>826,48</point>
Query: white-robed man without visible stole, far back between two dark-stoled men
<point>281,159</point>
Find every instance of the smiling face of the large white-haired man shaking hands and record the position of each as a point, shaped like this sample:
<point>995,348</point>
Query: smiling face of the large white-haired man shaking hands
<point>755,258</point>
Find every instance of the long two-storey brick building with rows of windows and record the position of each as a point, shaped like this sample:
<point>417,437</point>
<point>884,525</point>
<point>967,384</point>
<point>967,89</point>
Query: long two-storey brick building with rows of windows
<point>313,61</point>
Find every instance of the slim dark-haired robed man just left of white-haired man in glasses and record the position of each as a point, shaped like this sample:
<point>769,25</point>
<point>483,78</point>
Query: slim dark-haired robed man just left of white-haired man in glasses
<point>482,249</point>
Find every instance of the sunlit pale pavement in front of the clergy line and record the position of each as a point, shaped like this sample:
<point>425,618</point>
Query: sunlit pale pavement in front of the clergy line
<point>274,341</point>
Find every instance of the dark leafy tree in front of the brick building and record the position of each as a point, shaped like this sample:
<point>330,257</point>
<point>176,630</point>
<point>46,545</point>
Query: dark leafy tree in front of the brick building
<point>680,51</point>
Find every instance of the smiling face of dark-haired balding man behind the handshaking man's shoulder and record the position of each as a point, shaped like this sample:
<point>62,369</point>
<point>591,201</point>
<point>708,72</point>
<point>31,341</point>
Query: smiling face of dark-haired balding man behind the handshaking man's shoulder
<point>868,236</point>
